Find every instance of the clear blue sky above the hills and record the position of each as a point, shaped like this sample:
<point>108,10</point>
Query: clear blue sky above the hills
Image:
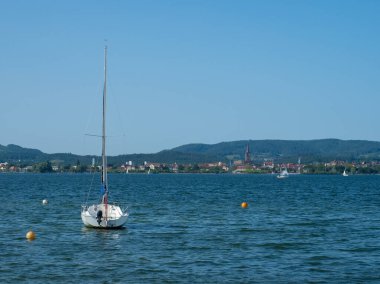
<point>187,72</point>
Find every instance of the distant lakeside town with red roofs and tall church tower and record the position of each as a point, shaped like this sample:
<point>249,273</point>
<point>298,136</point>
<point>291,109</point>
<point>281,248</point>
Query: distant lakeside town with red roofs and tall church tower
<point>246,166</point>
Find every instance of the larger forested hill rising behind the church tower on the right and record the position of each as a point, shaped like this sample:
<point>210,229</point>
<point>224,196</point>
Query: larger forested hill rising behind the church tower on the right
<point>290,150</point>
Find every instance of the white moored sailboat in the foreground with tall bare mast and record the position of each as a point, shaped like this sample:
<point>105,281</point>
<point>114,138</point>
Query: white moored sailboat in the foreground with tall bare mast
<point>104,215</point>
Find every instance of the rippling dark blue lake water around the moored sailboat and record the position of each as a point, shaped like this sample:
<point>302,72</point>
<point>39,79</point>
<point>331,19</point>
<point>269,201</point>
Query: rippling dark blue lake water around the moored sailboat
<point>192,229</point>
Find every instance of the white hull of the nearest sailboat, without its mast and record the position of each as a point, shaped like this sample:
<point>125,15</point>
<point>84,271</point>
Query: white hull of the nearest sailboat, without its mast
<point>112,216</point>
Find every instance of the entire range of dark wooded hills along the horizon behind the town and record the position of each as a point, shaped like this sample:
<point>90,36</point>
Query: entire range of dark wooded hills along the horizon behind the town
<point>279,150</point>
